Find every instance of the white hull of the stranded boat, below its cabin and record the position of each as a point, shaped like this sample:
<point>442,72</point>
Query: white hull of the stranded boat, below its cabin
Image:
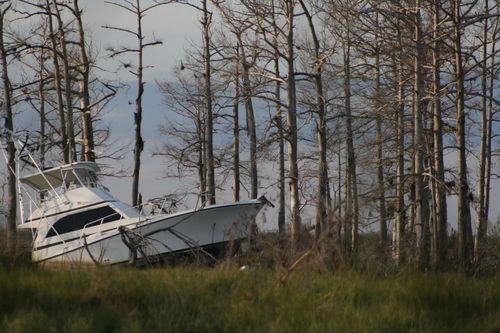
<point>160,235</point>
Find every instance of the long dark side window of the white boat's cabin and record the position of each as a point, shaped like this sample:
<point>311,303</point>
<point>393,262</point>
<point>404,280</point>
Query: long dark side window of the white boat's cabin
<point>87,218</point>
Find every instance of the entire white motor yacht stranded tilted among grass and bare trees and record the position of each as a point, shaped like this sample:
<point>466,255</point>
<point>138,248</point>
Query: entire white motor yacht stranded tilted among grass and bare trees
<point>76,222</point>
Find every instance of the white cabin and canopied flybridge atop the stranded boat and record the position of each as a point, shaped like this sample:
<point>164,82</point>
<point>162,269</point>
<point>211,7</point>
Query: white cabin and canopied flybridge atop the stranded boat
<point>71,198</point>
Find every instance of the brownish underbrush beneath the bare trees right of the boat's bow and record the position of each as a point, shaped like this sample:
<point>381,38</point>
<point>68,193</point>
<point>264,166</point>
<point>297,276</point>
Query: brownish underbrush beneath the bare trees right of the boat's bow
<point>328,254</point>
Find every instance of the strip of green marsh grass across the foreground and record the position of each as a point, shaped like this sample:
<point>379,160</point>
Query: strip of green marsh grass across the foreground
<point>194,299</point>
